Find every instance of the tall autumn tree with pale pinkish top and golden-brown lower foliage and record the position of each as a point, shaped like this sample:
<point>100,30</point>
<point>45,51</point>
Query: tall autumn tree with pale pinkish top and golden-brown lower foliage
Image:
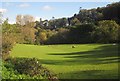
<point>26,24</point>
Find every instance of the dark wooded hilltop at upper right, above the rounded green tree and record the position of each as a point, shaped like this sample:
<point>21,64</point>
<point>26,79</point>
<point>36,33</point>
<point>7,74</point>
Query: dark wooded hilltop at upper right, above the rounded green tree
<point>110,12</point>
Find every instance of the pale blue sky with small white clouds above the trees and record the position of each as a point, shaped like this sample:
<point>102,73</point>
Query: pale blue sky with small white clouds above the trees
<point>45,10</point>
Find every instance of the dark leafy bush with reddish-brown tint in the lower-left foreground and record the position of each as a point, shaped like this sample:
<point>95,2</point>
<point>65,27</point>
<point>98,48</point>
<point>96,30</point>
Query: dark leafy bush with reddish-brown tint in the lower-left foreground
<point>28,66</point>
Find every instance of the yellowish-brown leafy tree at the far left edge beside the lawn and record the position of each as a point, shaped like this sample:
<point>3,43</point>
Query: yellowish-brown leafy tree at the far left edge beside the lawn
<point>9,38</point>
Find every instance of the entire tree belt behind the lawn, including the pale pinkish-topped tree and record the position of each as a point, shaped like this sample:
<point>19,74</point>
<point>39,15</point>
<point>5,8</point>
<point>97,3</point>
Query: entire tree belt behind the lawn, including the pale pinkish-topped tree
<point>84,27</point>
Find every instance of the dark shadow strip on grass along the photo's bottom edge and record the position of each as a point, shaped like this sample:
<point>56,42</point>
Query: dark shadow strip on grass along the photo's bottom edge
<point>90,74</point>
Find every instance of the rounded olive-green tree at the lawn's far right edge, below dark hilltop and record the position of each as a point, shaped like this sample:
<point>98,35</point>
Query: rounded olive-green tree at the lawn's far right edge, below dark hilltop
<point>106,32</point>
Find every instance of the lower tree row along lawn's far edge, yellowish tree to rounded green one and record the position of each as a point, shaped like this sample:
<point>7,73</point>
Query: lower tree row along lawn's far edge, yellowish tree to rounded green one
<point>105,31</point>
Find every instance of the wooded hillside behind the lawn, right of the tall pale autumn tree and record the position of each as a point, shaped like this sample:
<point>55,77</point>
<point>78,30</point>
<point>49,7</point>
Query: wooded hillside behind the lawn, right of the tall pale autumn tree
<point>87,26</point>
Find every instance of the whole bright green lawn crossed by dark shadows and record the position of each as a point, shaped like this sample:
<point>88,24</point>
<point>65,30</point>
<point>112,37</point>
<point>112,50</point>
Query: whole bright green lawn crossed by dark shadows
<point>85,61</point>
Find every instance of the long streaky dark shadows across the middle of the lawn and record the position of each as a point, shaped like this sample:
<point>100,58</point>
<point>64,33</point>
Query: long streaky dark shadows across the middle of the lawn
<point>101,55</point>
